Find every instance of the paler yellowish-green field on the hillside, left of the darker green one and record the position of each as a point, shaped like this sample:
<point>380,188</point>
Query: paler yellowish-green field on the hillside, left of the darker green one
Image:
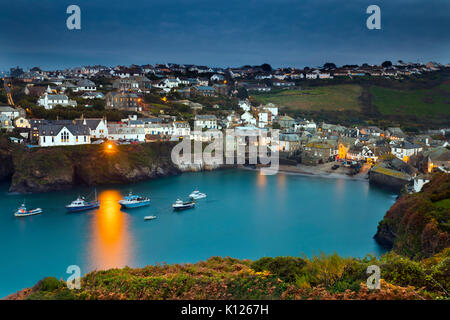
<point>334,97</point>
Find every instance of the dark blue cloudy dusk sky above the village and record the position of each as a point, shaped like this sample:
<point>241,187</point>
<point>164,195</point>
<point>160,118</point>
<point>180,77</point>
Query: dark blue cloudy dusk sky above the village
<point>222,33</point>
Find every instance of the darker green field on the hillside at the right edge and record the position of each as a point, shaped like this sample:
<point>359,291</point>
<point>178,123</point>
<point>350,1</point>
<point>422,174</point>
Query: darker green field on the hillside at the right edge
<point>423,102</point>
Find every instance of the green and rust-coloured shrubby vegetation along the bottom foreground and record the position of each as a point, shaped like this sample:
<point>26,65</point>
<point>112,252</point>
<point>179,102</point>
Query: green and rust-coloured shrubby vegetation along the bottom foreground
<point>321,277</point>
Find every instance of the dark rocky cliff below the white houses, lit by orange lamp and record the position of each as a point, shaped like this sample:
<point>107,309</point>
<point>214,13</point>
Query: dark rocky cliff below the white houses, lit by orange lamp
<point>47,169</point>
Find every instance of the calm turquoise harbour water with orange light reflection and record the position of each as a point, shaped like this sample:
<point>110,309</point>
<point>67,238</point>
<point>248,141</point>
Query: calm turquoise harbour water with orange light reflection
<point>246,215</point>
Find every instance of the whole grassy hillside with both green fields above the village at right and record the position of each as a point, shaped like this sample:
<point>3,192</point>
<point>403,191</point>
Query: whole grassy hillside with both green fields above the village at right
<point>413,103</point>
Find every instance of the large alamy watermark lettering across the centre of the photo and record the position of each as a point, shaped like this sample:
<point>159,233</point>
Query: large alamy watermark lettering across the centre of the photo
<point>258,146</point>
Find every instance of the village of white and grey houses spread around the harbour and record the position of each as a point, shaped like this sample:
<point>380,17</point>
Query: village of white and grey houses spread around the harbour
<point>172,102</point>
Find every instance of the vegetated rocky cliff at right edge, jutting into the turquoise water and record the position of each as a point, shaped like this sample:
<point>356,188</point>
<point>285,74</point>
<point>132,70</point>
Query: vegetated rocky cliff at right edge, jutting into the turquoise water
<point>418,225</point>
